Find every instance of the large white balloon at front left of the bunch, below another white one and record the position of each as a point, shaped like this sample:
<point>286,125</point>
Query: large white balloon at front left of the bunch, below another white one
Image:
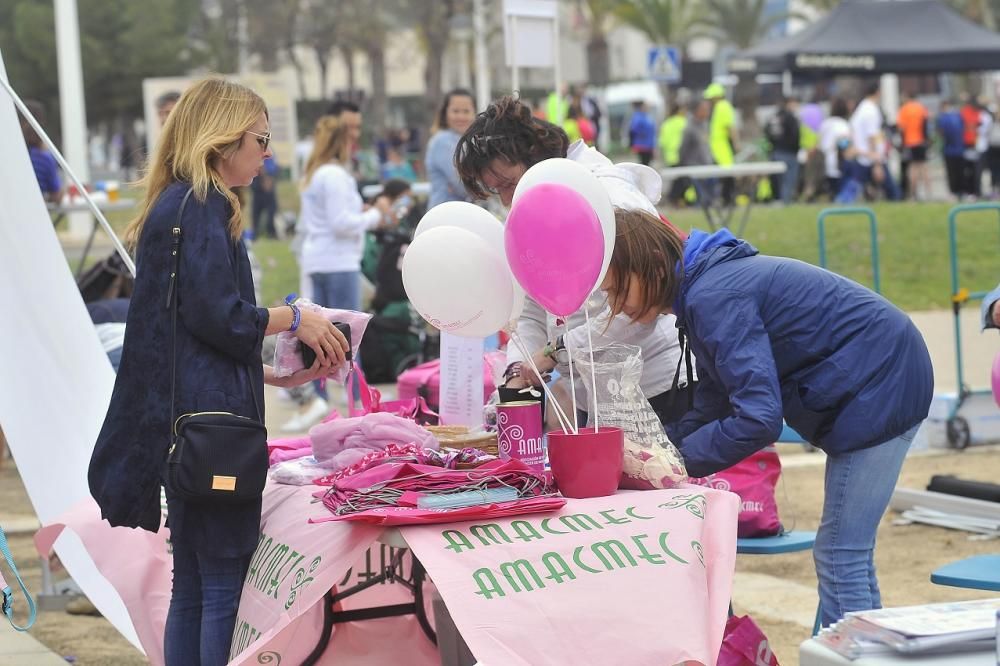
<point>457,282</point>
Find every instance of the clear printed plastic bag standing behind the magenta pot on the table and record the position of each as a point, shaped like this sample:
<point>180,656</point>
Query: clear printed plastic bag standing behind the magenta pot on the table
<point>651,460</point>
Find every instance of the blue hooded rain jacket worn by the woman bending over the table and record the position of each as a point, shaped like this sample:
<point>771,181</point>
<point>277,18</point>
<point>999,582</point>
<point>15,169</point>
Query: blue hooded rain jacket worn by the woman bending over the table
<point>776,337</point>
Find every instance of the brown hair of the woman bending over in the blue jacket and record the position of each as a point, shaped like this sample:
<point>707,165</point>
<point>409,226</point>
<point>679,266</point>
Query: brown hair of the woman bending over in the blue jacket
<point>652,251</point>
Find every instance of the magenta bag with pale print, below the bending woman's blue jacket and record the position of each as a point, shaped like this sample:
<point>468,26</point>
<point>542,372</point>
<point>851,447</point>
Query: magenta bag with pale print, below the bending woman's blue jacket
<point>754,479</point>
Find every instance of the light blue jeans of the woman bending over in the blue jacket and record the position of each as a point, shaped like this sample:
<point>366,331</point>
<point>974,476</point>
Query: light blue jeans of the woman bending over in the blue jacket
<point>857,490</point>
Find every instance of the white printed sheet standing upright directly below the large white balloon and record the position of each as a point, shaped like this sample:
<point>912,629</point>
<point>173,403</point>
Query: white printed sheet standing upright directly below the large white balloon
<point>461,398</point>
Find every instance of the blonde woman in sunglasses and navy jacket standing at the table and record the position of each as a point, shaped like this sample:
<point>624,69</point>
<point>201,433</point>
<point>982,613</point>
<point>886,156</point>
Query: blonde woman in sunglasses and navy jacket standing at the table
<point>215,139</point>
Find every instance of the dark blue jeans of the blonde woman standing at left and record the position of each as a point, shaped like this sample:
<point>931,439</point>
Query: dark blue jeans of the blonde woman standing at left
<point>203,605</point>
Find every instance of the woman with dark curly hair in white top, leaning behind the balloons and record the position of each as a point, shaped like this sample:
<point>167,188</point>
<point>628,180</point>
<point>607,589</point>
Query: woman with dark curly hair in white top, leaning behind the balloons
<point>502,143</point>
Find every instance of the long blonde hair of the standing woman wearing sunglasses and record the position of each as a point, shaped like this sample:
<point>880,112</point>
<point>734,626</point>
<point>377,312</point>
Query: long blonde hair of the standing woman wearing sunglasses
<point>207,125</point>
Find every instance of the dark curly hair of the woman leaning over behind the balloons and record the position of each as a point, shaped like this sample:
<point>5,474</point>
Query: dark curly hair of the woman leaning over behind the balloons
<point>505,130</point>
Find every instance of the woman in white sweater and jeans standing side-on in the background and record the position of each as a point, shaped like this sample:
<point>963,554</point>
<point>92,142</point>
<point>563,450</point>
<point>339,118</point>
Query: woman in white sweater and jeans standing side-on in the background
<point>335,219</point>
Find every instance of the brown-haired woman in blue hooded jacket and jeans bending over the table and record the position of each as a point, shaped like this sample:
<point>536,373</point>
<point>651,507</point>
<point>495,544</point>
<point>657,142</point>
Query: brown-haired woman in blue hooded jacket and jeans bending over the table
<point>775,339</point>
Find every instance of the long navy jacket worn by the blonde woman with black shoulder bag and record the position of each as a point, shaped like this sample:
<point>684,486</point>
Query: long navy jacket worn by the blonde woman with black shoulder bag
<point>219,334</point>
